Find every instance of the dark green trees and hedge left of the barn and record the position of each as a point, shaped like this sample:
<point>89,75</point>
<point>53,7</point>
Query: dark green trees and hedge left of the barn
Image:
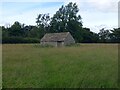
<point>21,34</point>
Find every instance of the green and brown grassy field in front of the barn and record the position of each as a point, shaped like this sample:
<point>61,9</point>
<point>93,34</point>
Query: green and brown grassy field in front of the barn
<point>81,66</point>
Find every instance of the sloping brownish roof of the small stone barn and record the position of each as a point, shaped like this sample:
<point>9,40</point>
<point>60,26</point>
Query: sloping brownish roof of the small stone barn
<point>55,36</point>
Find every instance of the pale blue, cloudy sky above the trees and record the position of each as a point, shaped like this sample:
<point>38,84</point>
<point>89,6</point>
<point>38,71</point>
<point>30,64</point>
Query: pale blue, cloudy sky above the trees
<point>95,14</point>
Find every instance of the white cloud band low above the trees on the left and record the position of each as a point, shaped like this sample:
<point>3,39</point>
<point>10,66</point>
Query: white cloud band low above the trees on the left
<point>28,17</point>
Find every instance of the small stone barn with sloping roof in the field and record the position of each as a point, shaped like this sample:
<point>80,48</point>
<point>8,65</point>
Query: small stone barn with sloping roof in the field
<point>57,39</point>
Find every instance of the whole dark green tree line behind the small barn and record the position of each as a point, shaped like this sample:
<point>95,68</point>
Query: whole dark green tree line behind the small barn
<point>66,19</point>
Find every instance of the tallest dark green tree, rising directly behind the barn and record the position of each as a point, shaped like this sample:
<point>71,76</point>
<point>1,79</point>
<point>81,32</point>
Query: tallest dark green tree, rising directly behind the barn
<point>67,20</point>
